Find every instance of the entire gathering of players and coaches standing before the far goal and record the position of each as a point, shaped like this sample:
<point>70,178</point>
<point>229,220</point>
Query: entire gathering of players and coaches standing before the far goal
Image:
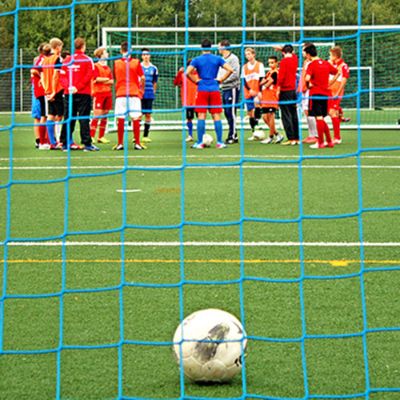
<point>65,86</point>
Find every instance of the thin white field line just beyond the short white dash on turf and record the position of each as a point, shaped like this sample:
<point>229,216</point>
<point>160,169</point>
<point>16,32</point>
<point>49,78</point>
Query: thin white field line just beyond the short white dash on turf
<point>275,166</point>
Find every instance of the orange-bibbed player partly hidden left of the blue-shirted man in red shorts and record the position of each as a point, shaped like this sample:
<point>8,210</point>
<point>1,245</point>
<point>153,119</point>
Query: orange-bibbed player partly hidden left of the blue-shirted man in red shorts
<point>188,98</point>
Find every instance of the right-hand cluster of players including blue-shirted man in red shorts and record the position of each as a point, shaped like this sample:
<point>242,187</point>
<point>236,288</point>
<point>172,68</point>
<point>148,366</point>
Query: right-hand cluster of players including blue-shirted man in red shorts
<point>321,87</point>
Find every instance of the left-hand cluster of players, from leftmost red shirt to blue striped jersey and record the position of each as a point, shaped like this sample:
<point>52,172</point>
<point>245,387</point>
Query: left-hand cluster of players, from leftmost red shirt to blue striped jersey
<point>65,86</point>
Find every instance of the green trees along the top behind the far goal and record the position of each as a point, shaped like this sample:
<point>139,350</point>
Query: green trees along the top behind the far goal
<point>72,19</point>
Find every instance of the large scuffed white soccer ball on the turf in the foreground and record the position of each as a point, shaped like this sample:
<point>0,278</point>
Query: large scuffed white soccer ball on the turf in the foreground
<point>209,345</point>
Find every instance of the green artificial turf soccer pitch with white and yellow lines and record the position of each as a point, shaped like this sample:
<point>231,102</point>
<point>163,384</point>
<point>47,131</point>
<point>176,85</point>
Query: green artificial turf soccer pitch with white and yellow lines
<point>269,233</point>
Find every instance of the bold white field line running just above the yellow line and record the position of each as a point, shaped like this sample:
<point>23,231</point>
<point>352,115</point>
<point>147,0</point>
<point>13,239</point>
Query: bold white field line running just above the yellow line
<point>205,244</point>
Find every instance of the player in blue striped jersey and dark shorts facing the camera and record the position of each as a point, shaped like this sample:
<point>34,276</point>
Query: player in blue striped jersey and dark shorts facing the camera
<point>151,76</point>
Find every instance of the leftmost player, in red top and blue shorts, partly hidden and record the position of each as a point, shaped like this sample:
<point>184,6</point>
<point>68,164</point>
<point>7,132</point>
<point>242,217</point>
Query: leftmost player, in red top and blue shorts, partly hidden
<point>39,113</point>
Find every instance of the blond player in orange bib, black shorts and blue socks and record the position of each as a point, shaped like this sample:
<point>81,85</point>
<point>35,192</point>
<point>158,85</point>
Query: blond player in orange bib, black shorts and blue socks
<point>51,66</point>
